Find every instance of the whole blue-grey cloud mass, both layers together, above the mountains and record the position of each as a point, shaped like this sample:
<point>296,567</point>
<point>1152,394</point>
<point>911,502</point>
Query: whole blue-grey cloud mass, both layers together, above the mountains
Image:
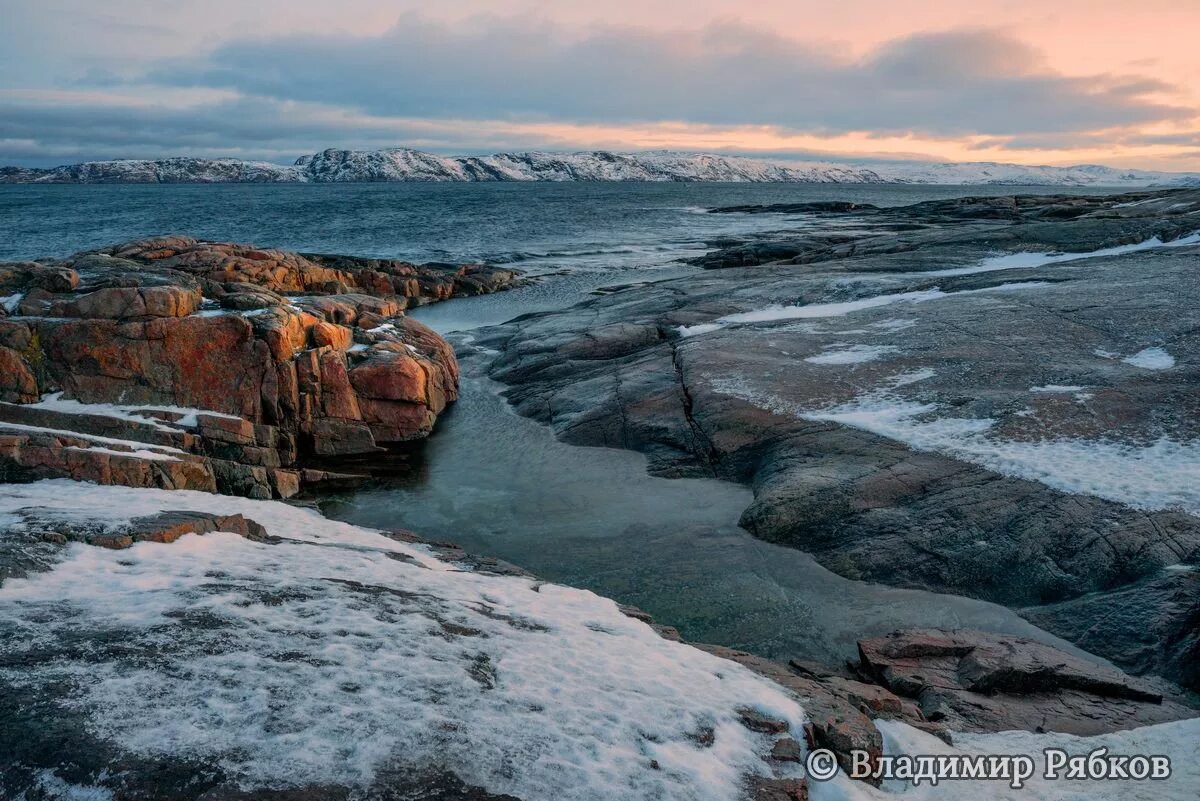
<point>518,83</point>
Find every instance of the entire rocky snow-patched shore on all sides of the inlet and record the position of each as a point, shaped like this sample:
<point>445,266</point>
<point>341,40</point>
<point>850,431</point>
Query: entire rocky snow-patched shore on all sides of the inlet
<point>166,643</point>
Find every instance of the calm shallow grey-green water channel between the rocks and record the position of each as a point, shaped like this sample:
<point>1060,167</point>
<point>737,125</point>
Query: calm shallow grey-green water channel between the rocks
<point>502,486</point>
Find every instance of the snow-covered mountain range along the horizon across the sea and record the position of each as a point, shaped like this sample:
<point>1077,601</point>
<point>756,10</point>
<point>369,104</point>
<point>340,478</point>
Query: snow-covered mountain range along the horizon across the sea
<point>407,165</point>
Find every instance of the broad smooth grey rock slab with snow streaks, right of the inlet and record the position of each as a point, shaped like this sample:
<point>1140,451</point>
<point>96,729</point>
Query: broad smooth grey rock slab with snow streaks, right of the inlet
<point>927,408</point>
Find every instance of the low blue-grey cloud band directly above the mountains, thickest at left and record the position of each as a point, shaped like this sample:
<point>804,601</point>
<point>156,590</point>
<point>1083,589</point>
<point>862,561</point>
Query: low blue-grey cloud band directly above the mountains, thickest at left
<point>41,129</point>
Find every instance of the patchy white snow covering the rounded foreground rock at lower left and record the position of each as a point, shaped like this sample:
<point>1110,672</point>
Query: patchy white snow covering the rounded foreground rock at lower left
<point>339,653</point>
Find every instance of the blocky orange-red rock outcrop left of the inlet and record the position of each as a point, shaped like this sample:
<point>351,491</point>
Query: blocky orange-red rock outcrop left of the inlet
<point>189,365</point>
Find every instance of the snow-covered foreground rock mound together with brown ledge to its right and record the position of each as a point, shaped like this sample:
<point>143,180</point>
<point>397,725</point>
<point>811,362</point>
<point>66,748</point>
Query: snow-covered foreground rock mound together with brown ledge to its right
<point>145,601</point>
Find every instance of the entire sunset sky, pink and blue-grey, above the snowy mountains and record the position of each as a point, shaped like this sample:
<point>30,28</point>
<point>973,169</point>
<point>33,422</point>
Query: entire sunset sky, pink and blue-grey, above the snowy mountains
<point>1108,82</point>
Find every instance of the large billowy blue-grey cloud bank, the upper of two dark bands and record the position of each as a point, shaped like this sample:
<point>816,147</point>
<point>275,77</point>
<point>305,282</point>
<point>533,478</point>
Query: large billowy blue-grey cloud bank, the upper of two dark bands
<point>951,83</point>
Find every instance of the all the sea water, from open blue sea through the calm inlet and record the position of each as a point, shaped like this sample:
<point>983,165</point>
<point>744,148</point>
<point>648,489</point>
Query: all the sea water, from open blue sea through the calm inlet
<point>501,485</point>
